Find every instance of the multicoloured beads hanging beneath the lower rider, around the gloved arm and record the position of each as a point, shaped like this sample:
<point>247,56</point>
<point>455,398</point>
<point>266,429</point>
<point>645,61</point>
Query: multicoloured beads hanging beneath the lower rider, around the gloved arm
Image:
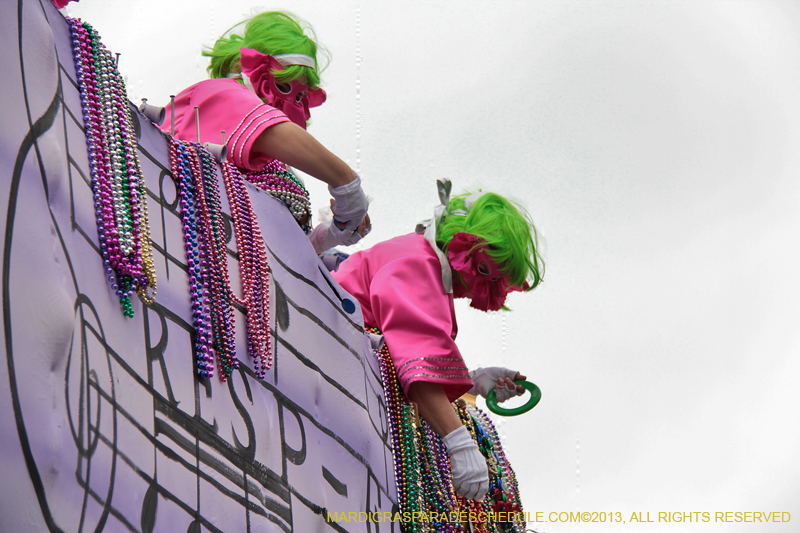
<point>422,466</point>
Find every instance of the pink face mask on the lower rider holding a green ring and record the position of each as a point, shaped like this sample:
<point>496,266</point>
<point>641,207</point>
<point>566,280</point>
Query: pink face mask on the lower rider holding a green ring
<point>486,285</point>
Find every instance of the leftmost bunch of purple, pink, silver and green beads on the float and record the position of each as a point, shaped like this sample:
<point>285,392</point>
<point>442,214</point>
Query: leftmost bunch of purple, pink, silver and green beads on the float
<point>120,195</point>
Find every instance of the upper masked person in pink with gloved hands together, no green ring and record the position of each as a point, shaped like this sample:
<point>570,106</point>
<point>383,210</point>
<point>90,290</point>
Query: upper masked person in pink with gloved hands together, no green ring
<point>263,84</point>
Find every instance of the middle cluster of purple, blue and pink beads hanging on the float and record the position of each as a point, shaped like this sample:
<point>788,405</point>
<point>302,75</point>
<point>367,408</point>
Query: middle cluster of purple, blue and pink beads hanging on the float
<point>194,170</point>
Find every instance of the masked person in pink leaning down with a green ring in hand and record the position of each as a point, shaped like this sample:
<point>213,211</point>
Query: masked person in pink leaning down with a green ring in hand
<point>478,246</point>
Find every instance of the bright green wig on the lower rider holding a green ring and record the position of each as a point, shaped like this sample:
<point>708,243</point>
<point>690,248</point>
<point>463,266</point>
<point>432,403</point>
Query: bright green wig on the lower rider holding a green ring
<point>505,227</point>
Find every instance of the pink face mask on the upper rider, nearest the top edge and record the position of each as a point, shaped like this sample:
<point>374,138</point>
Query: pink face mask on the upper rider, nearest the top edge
<point>293,98</point>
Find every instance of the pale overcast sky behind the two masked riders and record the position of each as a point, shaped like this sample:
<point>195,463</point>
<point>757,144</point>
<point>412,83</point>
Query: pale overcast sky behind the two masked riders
<point>655,145</point>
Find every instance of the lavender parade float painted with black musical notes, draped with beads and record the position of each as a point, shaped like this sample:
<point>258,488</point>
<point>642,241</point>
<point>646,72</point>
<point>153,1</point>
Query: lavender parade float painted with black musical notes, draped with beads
<point>119,413</point>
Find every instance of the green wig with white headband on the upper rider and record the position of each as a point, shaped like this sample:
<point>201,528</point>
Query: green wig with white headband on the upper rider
<point>271,33</point>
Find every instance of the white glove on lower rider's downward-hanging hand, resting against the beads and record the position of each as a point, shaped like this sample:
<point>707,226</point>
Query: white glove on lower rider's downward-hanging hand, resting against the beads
<point>470,473</point>
